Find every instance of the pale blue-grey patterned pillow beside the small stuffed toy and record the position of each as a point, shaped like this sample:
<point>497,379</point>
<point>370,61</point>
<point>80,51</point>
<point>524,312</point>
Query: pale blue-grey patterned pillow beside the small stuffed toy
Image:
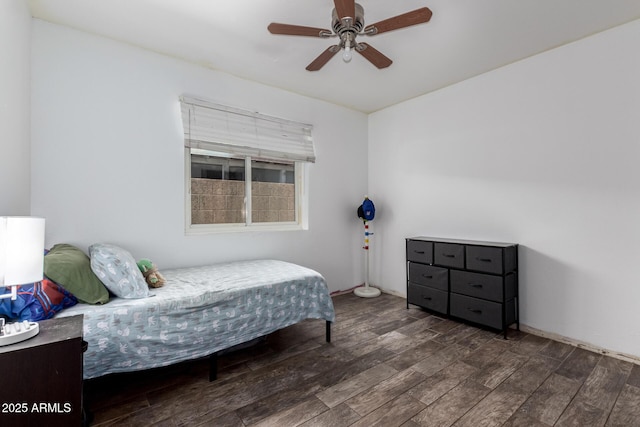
<point>118,271</point>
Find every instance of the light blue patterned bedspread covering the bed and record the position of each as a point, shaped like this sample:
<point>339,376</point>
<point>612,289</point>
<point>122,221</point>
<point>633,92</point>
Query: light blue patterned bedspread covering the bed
<point>199,311</point>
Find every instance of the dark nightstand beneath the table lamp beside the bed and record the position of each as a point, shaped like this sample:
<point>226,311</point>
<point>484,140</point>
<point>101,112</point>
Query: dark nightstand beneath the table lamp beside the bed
<point>42,376</point>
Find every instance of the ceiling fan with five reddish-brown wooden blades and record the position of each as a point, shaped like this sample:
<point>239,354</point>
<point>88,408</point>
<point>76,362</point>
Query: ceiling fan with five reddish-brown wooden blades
<point>347,22</point>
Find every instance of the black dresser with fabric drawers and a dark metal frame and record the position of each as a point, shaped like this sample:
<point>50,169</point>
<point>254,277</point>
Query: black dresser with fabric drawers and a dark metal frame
<point>467,280</point>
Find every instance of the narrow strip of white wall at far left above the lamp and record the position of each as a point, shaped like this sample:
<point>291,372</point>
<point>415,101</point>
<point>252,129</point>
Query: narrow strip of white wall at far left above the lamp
<point>15,170</point>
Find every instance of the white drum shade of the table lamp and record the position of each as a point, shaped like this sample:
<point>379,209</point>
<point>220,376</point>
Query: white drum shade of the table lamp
<point>21,250</point>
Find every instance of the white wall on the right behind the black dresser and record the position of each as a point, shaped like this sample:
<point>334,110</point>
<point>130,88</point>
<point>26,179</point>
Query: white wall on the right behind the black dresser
<point>544,153</point>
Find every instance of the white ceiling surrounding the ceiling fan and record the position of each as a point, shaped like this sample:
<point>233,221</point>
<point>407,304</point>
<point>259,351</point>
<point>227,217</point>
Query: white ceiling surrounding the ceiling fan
<point>463,39</point>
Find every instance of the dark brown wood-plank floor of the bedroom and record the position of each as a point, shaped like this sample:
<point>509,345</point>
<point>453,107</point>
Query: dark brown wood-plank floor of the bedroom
<point>386,366</point>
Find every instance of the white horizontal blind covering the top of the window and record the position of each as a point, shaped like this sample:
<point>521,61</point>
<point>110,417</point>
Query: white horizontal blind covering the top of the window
<point>215,127</point>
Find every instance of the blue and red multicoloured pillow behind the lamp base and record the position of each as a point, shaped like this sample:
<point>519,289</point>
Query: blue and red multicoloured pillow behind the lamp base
<point>37,301</point>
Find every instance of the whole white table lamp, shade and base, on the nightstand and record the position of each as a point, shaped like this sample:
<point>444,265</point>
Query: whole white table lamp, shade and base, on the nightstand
<point>21,262</point>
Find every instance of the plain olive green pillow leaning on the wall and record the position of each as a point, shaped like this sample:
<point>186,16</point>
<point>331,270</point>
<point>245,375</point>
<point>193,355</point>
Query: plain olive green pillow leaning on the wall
<point>69,267</point>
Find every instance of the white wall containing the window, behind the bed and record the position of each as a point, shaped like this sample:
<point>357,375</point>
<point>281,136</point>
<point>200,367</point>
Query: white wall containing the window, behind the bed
<point>108,157</point>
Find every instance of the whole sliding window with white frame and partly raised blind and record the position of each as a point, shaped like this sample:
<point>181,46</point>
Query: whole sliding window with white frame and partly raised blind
<point>244,170</point>
